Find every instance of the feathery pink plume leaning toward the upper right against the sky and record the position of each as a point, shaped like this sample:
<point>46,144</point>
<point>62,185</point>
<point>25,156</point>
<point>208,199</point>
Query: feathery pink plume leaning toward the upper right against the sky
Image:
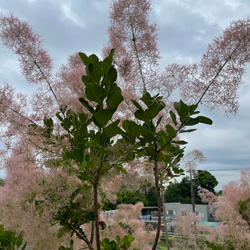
<point>215,81</point>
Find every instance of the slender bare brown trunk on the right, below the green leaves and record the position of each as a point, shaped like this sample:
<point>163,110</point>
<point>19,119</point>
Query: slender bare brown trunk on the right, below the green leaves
<point>157,185</point>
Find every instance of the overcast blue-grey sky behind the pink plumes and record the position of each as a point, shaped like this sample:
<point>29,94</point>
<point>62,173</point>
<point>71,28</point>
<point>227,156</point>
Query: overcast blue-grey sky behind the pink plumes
<point>185,28</point>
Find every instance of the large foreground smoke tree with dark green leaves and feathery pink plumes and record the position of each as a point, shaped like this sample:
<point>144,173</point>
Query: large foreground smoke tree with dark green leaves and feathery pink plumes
<point>66,145</point>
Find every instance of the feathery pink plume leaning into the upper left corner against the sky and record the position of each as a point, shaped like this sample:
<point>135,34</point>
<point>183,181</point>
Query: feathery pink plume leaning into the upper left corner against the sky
<point>19,37</point>
